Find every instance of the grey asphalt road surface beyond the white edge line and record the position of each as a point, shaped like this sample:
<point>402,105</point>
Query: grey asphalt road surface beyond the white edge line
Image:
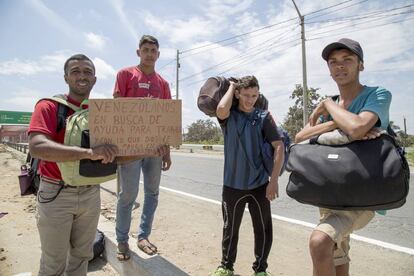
<point>201,175</point>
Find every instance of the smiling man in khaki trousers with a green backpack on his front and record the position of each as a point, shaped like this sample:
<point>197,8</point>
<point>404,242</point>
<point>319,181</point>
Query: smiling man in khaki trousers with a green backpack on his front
<point>67,216</point>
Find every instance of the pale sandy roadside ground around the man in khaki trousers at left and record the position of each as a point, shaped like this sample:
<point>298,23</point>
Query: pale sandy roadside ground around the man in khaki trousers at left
<point>19,240</point>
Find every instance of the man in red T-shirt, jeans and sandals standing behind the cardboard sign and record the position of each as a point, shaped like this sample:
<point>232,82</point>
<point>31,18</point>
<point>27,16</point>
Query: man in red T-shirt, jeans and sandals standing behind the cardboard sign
<point>140,81</point>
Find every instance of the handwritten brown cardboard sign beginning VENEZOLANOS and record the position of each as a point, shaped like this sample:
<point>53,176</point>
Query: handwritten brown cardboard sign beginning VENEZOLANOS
<point>138,126</point>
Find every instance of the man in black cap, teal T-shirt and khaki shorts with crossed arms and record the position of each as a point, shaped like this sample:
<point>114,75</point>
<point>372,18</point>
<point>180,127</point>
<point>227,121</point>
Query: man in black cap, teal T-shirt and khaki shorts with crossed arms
<point>360,111</point>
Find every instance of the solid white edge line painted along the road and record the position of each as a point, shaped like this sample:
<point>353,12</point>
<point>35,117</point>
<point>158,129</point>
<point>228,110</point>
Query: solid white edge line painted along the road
<point>387,245</point>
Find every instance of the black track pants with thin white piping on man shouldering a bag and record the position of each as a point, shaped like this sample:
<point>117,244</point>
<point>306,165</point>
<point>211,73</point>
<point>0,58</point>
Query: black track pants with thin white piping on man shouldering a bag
<point>233,204</point>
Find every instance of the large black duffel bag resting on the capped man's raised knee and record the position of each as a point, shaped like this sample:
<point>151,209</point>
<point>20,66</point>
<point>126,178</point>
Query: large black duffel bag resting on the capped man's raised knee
<point>362,175</point>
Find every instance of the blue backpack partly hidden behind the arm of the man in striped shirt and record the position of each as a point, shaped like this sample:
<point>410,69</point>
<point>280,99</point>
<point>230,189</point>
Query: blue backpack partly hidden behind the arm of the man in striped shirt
<point>268,151</point>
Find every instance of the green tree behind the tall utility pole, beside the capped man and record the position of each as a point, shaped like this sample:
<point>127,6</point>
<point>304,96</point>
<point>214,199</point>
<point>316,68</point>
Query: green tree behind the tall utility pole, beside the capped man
<point>293,122</point>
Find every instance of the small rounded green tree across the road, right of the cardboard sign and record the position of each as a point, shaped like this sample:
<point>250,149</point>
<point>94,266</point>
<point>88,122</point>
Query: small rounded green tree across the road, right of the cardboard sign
<point>203,131</point>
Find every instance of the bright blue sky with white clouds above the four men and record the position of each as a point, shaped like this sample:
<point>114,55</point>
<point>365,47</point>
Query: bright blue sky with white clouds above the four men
<point>213,37</point>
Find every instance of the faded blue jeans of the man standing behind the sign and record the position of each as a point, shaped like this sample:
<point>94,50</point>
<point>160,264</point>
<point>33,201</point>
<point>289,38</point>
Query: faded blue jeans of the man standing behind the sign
<point>128,179</point>
